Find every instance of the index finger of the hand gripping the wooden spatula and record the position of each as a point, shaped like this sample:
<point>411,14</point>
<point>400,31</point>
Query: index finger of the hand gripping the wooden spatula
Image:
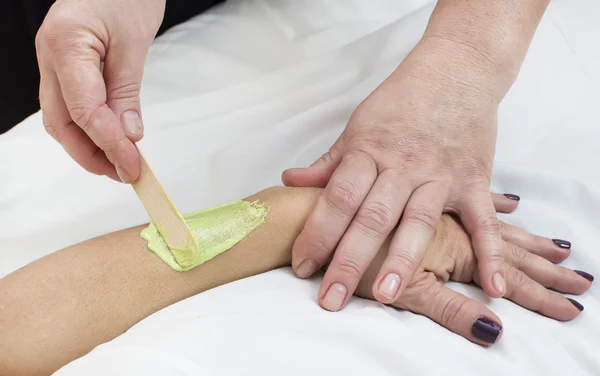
<point>84,93</point>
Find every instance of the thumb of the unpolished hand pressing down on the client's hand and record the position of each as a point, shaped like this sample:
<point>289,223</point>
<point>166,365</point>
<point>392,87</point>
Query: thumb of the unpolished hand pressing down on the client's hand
<point>319,172</point>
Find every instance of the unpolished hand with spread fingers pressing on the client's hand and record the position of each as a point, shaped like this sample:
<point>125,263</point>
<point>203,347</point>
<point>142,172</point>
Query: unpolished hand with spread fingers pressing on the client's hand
<point>422,143</point>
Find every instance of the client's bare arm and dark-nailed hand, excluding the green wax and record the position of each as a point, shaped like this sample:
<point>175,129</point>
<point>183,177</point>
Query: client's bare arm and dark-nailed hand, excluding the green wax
<point>60,307</point>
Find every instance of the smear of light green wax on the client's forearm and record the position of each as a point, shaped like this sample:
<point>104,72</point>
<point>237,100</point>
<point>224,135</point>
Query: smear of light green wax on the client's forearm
<point>215,230</point>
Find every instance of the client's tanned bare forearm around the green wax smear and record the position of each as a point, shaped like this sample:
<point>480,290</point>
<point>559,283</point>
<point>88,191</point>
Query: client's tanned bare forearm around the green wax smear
<point>63,305</point>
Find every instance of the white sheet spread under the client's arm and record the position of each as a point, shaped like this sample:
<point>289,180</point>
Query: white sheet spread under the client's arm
<point>233,97</point>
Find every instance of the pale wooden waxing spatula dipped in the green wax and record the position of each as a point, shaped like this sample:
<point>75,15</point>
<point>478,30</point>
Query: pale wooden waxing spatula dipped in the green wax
<point>162,211</point>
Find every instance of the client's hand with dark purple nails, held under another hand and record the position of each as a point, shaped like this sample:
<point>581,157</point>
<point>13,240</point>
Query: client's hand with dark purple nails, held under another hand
<point>529,277</point>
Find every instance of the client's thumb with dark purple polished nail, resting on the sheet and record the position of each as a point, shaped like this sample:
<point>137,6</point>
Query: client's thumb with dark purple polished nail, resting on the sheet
<point>456,312</point>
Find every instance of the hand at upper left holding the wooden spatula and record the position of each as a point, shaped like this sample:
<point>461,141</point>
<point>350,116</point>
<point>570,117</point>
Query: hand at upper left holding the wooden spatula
<point>91,56</point>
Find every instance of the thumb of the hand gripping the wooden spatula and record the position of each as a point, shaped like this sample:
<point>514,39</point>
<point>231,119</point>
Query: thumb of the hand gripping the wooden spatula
<point>123,71</point>
